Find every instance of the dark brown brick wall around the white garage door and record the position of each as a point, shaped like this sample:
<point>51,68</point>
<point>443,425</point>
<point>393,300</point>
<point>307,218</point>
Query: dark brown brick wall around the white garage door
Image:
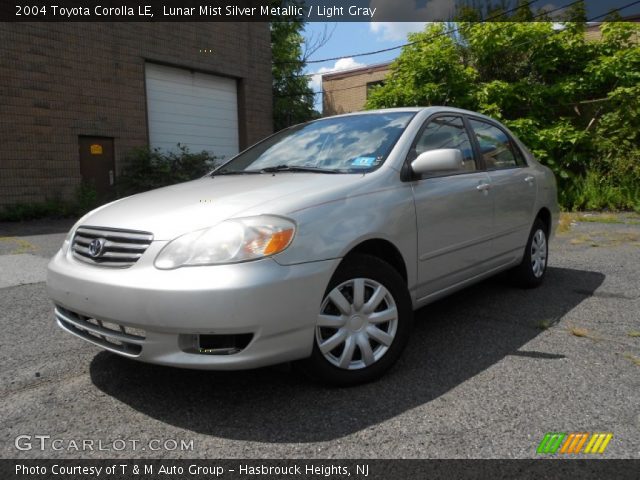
<point>62,80</point>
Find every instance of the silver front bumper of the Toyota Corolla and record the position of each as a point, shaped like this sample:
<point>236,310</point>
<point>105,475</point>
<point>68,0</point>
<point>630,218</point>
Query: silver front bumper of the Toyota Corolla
<point>276,304</point>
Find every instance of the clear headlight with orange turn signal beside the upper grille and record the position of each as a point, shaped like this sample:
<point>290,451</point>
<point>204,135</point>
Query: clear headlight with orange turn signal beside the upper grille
<point>232,241</point>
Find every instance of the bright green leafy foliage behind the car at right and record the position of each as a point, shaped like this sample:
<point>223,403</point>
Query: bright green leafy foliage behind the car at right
<point>574,101</point>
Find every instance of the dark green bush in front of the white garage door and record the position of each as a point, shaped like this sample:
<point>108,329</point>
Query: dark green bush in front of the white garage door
<point>146,169</point>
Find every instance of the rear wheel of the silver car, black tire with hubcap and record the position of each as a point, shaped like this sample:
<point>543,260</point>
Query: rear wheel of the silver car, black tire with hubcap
<point>533,268</point>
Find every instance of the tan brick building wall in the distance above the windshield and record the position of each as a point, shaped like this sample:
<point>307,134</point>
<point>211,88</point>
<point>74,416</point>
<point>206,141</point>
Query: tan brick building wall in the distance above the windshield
<point>346,92</point>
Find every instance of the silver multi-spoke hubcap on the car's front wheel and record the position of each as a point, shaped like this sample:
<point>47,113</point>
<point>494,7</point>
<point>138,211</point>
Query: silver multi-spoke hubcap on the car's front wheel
<point>357,323</point>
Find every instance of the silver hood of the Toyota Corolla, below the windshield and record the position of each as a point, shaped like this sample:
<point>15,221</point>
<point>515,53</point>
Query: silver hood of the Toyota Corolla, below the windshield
<point>171,211</point>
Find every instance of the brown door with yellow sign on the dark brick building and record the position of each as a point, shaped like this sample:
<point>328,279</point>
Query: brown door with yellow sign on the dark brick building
<point>97,165</point>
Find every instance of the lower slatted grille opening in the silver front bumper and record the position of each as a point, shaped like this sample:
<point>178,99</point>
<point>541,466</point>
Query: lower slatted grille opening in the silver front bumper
<point>112,336</point>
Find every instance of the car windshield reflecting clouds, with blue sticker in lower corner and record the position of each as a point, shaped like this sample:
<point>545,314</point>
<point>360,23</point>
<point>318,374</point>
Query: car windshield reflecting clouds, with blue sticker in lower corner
<point>347,144</point>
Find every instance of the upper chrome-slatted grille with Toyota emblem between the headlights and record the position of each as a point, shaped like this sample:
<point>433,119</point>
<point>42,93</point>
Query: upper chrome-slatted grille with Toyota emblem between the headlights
<point>115,248</point>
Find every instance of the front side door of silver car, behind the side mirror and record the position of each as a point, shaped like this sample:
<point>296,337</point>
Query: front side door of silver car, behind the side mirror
<point>454,211</point>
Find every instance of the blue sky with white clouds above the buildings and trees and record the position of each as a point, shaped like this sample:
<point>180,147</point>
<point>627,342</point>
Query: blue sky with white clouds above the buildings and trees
<point>346,39</point>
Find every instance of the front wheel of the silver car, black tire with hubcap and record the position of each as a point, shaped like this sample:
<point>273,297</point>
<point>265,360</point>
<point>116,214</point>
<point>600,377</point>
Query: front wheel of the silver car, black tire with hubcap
<point>358,337</point>
